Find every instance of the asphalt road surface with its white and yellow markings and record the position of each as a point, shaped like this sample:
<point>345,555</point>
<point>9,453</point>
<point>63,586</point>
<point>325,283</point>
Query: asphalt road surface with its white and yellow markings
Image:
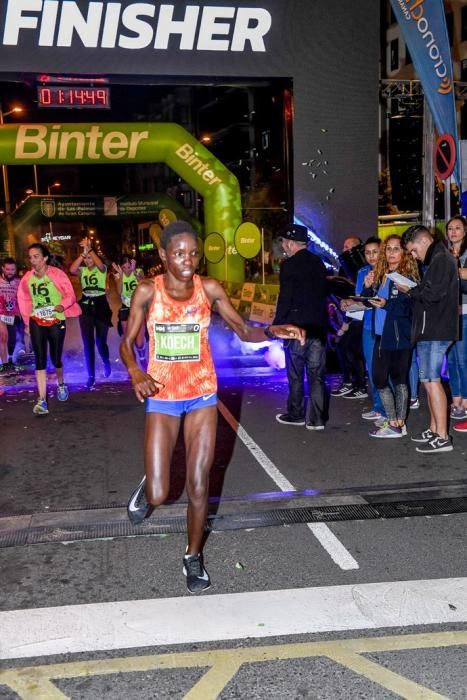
<point>318,591</point>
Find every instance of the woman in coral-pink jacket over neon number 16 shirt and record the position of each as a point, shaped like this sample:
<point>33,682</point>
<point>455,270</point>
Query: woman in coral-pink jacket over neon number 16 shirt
<point>45,299</point>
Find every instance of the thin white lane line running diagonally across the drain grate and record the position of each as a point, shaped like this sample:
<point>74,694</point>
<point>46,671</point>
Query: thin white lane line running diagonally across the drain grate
<point>334,547</point>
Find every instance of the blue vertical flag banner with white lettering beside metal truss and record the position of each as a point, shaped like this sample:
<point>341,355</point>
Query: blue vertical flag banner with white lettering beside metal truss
<point>423,24</point>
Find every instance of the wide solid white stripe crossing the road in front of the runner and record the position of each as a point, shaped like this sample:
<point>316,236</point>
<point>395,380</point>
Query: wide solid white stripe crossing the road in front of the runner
<point>167,621</point>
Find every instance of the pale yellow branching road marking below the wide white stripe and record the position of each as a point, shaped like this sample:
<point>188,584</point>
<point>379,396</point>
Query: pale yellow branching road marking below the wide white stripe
<point>34,682</point>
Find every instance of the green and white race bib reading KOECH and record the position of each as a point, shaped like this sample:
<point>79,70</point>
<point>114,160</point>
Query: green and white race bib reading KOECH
<point>177,342</point>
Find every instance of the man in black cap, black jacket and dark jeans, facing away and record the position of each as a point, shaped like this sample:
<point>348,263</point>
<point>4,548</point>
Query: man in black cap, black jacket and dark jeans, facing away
<point>302,301</point>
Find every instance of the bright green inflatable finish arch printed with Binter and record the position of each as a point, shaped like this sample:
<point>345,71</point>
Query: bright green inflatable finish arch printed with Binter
<point>55,143</point>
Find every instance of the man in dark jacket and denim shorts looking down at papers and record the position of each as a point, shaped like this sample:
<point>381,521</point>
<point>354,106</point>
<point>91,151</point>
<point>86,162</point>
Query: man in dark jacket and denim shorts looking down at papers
<point>435,319</point>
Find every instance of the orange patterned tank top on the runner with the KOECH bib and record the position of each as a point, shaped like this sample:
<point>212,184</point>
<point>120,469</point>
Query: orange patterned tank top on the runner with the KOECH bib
<point>179,352</point>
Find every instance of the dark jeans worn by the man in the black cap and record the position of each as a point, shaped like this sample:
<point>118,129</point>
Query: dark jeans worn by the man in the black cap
<point>310,359</point>
